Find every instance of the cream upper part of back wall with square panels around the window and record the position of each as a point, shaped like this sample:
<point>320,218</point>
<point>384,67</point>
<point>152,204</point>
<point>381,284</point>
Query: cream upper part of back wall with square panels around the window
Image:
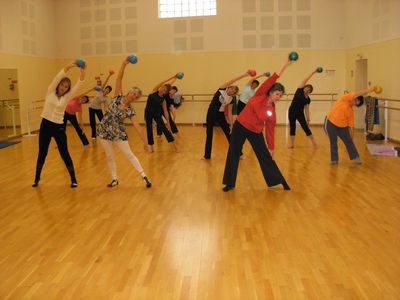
<point>92,24</point>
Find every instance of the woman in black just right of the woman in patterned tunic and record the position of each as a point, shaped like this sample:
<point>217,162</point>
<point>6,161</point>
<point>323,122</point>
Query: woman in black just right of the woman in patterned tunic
<point>155,106</point>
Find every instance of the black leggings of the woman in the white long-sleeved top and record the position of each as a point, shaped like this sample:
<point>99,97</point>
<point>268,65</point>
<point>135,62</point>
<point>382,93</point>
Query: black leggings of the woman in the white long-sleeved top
<point>48,130</point>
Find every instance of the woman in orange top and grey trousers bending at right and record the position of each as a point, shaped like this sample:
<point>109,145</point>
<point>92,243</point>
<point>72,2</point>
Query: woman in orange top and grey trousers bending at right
<point>340,123</point>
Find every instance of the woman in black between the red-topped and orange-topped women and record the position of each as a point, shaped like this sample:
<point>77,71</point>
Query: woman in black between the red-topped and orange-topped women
<point>299,110</point>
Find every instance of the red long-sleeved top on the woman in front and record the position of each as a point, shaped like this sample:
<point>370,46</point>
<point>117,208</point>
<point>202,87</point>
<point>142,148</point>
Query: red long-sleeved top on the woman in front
<point>255,113</point>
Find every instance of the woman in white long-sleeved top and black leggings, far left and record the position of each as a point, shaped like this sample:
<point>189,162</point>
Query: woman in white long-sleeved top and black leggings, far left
<point>59,93</point>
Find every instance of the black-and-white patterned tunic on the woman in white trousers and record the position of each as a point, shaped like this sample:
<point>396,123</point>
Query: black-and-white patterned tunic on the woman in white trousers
<point>112,126</point>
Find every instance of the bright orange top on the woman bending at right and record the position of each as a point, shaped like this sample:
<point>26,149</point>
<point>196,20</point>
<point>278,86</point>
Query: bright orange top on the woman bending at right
<point>342,113</point>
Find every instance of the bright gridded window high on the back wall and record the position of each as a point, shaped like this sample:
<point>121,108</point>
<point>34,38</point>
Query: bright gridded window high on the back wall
<point>187,8</point>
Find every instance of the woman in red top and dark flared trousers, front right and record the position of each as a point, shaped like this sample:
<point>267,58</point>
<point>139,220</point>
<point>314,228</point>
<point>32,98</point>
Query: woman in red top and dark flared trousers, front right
<point>249,125</point>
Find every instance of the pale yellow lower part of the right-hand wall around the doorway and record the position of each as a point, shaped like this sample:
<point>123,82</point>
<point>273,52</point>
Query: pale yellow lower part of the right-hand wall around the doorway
<point>383,69</point>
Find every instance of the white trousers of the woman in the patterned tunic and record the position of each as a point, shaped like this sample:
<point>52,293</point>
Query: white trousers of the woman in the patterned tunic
<point>126,150</point>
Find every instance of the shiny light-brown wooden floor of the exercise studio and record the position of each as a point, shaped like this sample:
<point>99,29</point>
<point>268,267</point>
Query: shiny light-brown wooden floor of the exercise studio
<point>335,235</point>
